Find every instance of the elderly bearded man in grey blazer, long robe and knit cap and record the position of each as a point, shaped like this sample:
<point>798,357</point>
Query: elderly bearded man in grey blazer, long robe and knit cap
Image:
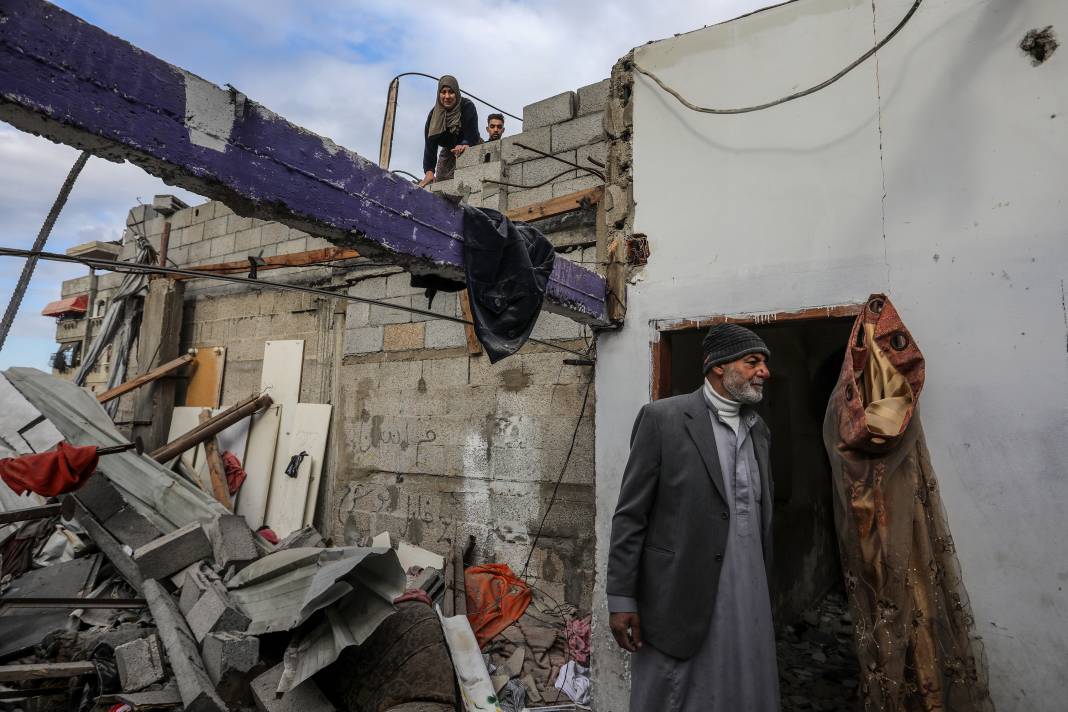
<point>692,543</point>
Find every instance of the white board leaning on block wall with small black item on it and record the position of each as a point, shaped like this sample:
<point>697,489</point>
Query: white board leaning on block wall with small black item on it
<point>289,502</point>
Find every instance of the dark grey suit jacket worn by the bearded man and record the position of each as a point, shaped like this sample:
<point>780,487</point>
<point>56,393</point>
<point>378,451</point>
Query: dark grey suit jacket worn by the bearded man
<point>670,529</point>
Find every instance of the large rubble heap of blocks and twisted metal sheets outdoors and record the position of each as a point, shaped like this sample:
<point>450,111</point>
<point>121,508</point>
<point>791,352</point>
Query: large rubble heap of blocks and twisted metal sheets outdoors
<point>140,591</point>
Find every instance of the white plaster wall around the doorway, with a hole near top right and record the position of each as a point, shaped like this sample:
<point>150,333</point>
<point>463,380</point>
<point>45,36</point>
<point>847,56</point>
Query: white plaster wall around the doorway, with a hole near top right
<point>935,173</point>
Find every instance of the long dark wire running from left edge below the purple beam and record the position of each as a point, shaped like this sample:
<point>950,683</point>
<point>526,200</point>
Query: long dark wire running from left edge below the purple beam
<point>124,267</point>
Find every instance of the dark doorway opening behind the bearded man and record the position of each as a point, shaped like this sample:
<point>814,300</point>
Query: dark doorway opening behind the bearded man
<point>818,663</point>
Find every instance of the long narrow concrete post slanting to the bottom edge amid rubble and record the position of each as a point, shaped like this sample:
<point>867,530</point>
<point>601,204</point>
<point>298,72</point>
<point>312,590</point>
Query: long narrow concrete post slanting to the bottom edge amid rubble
<point>195,686</point>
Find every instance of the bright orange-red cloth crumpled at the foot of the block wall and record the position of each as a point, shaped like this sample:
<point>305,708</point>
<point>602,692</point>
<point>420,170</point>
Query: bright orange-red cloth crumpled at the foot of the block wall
<point>496,599</point>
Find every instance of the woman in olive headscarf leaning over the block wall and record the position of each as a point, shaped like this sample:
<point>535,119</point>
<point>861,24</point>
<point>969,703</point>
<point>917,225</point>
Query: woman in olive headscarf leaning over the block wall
<point>451,126</point>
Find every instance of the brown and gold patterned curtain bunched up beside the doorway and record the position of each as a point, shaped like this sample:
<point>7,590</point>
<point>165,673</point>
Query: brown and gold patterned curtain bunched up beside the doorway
<point>913,623</point>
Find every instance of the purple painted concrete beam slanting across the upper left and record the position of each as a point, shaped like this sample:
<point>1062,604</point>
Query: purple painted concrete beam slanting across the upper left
<point>75,84</point>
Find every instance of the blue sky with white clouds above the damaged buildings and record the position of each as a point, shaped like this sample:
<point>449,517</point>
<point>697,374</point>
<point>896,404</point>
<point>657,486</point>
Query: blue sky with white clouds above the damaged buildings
<point>326,67</point>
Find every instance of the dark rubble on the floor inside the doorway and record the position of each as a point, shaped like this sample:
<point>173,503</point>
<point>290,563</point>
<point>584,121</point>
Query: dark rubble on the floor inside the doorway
<point>818,664</point>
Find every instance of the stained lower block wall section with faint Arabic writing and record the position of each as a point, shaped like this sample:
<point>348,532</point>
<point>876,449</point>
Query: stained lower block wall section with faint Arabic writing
<point>438,447</point>
